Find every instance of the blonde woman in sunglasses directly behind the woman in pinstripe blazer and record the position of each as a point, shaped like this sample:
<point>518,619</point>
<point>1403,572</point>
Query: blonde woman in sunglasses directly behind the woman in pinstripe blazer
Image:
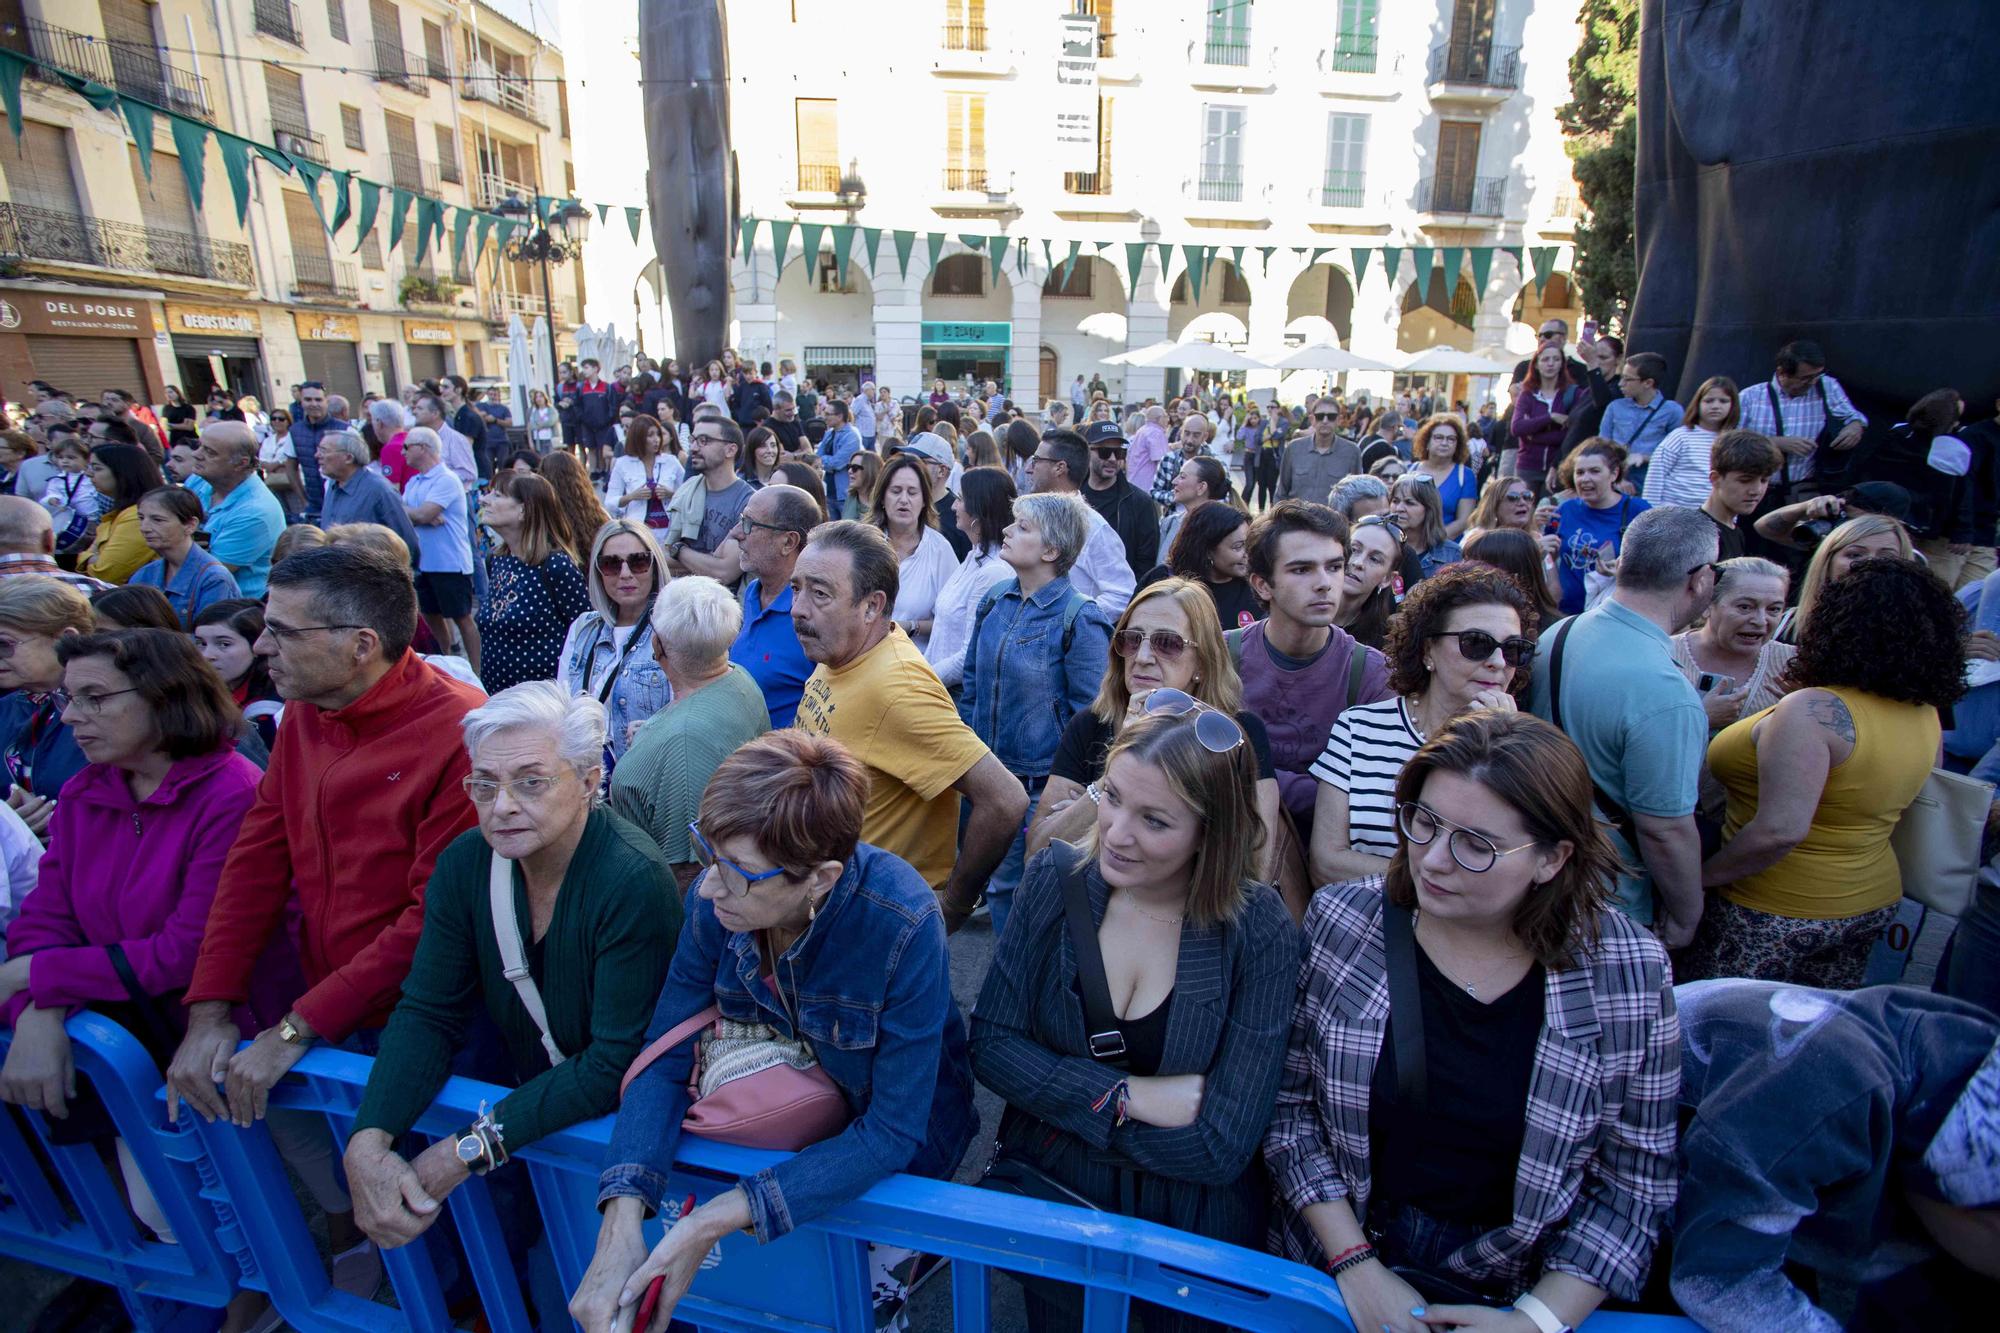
<point>1167,639</point>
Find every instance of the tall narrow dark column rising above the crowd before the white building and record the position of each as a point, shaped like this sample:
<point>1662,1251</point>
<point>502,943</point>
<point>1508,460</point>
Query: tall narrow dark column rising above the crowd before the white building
<point>691,169</point>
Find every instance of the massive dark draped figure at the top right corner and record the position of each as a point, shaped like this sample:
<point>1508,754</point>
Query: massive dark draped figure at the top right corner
<point>1827,171</point>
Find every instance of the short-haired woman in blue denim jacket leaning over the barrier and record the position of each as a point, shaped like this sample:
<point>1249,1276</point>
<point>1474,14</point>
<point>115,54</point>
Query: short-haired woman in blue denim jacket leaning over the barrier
<point>797,926</point>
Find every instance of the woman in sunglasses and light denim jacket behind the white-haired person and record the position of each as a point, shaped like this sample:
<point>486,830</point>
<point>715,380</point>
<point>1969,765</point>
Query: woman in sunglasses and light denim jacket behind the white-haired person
<point>609,649</point>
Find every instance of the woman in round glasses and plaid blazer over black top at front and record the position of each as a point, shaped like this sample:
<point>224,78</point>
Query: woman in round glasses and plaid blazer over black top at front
<point>1485,1060</point>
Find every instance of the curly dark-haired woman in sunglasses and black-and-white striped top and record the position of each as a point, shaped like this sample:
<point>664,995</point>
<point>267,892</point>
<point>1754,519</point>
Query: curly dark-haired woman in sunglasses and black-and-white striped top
<point>1463,643</point>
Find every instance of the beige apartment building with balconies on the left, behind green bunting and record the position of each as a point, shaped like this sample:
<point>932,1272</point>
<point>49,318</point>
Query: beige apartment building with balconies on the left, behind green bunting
<point>449,99</point>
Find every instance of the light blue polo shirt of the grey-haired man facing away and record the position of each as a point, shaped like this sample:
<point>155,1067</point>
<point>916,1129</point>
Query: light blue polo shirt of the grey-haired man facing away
<point>1635,718</point>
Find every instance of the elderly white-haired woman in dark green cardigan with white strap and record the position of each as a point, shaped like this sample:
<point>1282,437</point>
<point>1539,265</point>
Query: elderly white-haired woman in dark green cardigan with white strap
<point>589,904</point>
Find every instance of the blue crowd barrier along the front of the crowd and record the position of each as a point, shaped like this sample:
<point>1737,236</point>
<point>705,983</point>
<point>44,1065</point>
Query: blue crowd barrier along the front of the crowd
<point>229,1198</point>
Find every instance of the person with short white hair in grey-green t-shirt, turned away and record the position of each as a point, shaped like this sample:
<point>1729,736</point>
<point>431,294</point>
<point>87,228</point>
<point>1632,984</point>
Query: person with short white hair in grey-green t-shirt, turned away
<point>717,708</point>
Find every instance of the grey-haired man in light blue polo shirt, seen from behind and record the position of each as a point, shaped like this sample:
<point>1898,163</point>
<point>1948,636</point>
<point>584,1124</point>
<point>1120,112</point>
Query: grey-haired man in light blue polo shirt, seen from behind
<point>1611,684</point>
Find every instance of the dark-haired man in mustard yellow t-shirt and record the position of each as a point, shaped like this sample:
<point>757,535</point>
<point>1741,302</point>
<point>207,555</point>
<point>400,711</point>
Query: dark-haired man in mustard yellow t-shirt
<point>875,694</point>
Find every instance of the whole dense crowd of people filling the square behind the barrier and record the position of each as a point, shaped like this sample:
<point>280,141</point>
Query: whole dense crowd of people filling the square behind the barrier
<point>1347,790</point>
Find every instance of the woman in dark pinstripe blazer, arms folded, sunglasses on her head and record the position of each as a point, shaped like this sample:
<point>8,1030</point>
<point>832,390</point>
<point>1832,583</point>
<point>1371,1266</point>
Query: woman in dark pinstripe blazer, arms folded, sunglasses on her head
<point>1201,964</point>
